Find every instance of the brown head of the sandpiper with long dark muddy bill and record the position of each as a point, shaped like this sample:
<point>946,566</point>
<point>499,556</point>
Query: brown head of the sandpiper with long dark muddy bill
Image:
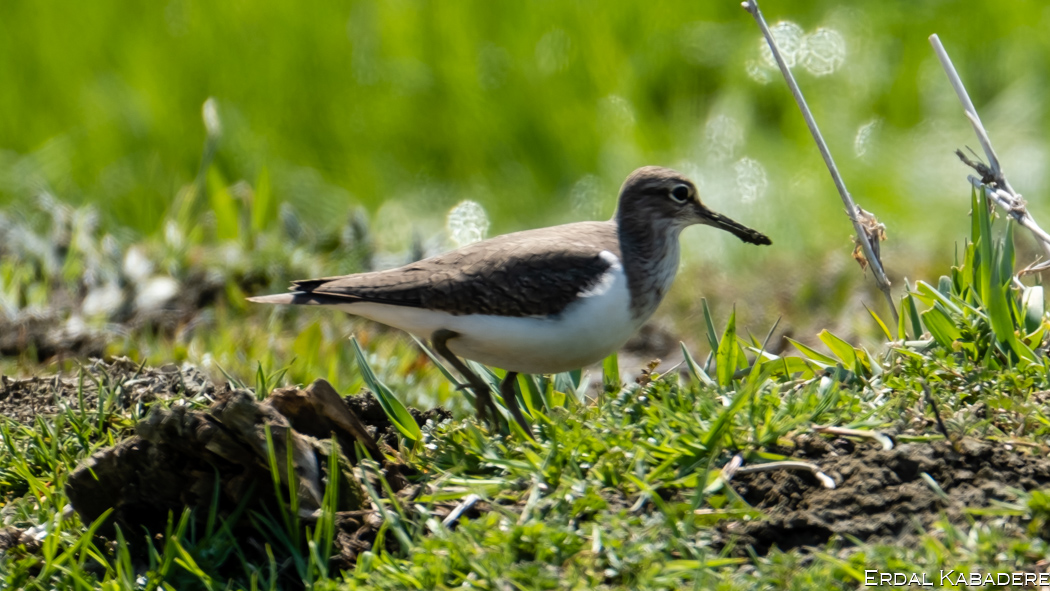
<point>663,197</point>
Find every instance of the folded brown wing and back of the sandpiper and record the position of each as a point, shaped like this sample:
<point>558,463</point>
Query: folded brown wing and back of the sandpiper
<point>532,273</point>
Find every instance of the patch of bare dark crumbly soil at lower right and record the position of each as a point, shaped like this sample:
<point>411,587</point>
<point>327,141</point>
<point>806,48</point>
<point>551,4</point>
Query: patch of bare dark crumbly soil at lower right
<point>881,496</point>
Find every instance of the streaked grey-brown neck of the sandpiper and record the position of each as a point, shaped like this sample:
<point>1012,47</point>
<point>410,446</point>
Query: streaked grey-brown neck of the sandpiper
<point>649,247</point>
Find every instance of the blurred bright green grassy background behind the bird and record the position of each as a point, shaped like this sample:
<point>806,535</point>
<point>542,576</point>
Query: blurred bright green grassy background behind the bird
<point>401,110</point>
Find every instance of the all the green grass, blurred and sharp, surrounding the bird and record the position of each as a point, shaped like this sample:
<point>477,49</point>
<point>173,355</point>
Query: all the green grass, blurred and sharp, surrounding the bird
<point>338,123</point>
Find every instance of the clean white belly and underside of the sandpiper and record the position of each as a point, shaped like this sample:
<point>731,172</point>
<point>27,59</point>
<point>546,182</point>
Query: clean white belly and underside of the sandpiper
<point>599,324</point>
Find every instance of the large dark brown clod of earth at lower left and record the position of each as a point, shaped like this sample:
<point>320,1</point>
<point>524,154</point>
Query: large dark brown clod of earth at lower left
<point>182,457</point>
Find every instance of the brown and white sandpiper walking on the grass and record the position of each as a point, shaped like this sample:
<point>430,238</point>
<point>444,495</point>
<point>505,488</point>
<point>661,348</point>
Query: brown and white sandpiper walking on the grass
<point>539,302</point>
